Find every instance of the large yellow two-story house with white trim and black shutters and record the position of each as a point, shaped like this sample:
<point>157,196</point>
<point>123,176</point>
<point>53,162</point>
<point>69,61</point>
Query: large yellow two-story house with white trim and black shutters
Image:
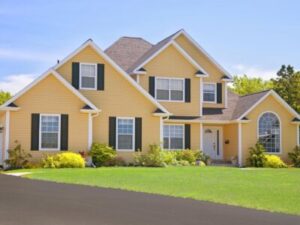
<point>135,94</point>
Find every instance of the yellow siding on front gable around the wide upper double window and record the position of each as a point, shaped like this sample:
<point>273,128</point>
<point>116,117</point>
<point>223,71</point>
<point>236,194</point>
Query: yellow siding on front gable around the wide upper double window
<point>170,63</point>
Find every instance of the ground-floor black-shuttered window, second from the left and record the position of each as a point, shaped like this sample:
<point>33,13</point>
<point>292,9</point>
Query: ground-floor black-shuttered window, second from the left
<point>125,133</point>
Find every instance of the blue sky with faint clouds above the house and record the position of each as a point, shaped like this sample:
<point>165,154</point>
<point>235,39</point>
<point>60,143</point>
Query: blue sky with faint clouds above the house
<point>252,37</point>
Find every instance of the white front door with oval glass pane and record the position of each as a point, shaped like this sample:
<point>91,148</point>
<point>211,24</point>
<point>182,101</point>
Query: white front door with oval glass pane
<point>212,142</point>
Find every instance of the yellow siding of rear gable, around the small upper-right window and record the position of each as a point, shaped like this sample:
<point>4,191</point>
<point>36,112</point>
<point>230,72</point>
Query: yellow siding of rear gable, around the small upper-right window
<point>205,63</point>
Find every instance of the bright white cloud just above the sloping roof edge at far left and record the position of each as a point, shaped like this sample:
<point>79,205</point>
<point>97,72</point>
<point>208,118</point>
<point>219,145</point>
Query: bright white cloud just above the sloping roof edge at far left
<point>14,83</point>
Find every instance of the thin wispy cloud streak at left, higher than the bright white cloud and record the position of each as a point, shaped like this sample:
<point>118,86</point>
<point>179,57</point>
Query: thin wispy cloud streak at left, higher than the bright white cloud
<point>26,55</point>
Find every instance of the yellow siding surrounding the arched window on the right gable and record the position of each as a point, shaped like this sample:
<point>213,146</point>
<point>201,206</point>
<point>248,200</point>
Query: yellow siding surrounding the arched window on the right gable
<point>288,130</point>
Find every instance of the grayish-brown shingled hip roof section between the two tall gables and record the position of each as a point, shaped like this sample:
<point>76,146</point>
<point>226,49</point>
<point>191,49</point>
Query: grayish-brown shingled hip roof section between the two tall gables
<point>127,50</point>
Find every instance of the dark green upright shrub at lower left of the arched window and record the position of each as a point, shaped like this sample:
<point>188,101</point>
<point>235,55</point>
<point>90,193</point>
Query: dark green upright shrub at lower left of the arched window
<point>257,155</point>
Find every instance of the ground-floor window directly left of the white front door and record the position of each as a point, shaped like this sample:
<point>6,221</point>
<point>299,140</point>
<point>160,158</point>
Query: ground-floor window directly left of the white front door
<point>173,137</point>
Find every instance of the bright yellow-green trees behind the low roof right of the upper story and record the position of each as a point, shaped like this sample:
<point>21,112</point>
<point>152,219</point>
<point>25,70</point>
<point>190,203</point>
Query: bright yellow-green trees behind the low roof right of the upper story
<point>245,85</point>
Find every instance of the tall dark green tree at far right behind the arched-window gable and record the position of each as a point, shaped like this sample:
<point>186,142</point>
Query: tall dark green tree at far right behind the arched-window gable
<point>287,85</point>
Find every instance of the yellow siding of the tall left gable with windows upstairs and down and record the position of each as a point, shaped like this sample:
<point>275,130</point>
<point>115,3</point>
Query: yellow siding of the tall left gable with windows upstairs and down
<point>119,99</point>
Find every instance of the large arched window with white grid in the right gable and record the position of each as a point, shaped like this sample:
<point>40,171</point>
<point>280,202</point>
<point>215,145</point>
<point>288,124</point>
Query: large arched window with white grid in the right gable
<point>269,132</point>
